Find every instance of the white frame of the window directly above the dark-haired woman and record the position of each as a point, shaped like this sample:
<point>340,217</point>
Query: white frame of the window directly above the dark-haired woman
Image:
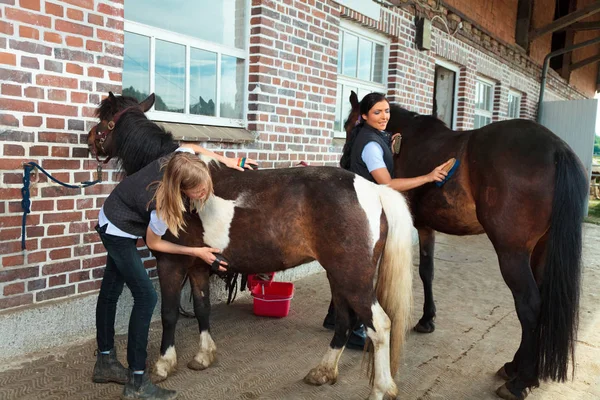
<point>360,84</point>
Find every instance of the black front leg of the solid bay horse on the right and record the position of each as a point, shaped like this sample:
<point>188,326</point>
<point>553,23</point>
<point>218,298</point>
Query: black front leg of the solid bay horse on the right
<point>426,249</point>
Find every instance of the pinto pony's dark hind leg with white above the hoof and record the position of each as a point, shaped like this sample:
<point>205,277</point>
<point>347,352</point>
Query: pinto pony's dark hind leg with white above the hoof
<point>327,370</point>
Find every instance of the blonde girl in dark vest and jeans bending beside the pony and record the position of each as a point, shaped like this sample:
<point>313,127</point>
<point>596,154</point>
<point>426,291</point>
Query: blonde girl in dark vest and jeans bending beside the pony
<point>145,204</point>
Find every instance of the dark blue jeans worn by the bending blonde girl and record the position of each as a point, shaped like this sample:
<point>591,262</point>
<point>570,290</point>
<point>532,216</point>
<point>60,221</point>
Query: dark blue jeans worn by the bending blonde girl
<point>124,266</point>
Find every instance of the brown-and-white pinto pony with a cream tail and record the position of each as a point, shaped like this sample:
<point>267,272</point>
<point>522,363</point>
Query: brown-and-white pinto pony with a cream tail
<point>272,220</point>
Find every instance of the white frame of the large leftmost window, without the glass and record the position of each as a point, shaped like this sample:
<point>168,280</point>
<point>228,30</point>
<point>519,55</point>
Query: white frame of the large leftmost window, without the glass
<point>154,33</point>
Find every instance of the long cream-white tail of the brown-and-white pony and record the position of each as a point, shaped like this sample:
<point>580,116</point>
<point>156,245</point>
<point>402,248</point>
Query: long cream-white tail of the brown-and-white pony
<point>394,280</point>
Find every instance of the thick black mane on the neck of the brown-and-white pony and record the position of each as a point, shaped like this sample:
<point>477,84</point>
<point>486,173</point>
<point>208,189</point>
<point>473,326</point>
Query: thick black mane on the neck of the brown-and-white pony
<point>139,141</point>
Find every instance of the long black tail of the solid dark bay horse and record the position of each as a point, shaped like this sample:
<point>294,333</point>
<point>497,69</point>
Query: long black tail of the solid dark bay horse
<point>559,314</point>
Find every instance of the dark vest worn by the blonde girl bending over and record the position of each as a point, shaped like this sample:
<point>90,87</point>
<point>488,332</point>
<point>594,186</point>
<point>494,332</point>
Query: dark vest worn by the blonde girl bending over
<point>127,205</point>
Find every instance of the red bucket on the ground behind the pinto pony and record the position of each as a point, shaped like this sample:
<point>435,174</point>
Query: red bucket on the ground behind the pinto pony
<point>273,300</point>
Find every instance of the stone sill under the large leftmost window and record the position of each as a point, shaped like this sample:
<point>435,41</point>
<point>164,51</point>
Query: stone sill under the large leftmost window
<point>206,133</point>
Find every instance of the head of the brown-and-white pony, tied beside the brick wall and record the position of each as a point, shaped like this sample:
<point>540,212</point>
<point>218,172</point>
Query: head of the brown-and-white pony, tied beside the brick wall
<point>100,137</point>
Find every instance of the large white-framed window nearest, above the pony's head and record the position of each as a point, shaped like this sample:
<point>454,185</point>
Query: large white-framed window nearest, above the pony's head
<point>194,59</point>
